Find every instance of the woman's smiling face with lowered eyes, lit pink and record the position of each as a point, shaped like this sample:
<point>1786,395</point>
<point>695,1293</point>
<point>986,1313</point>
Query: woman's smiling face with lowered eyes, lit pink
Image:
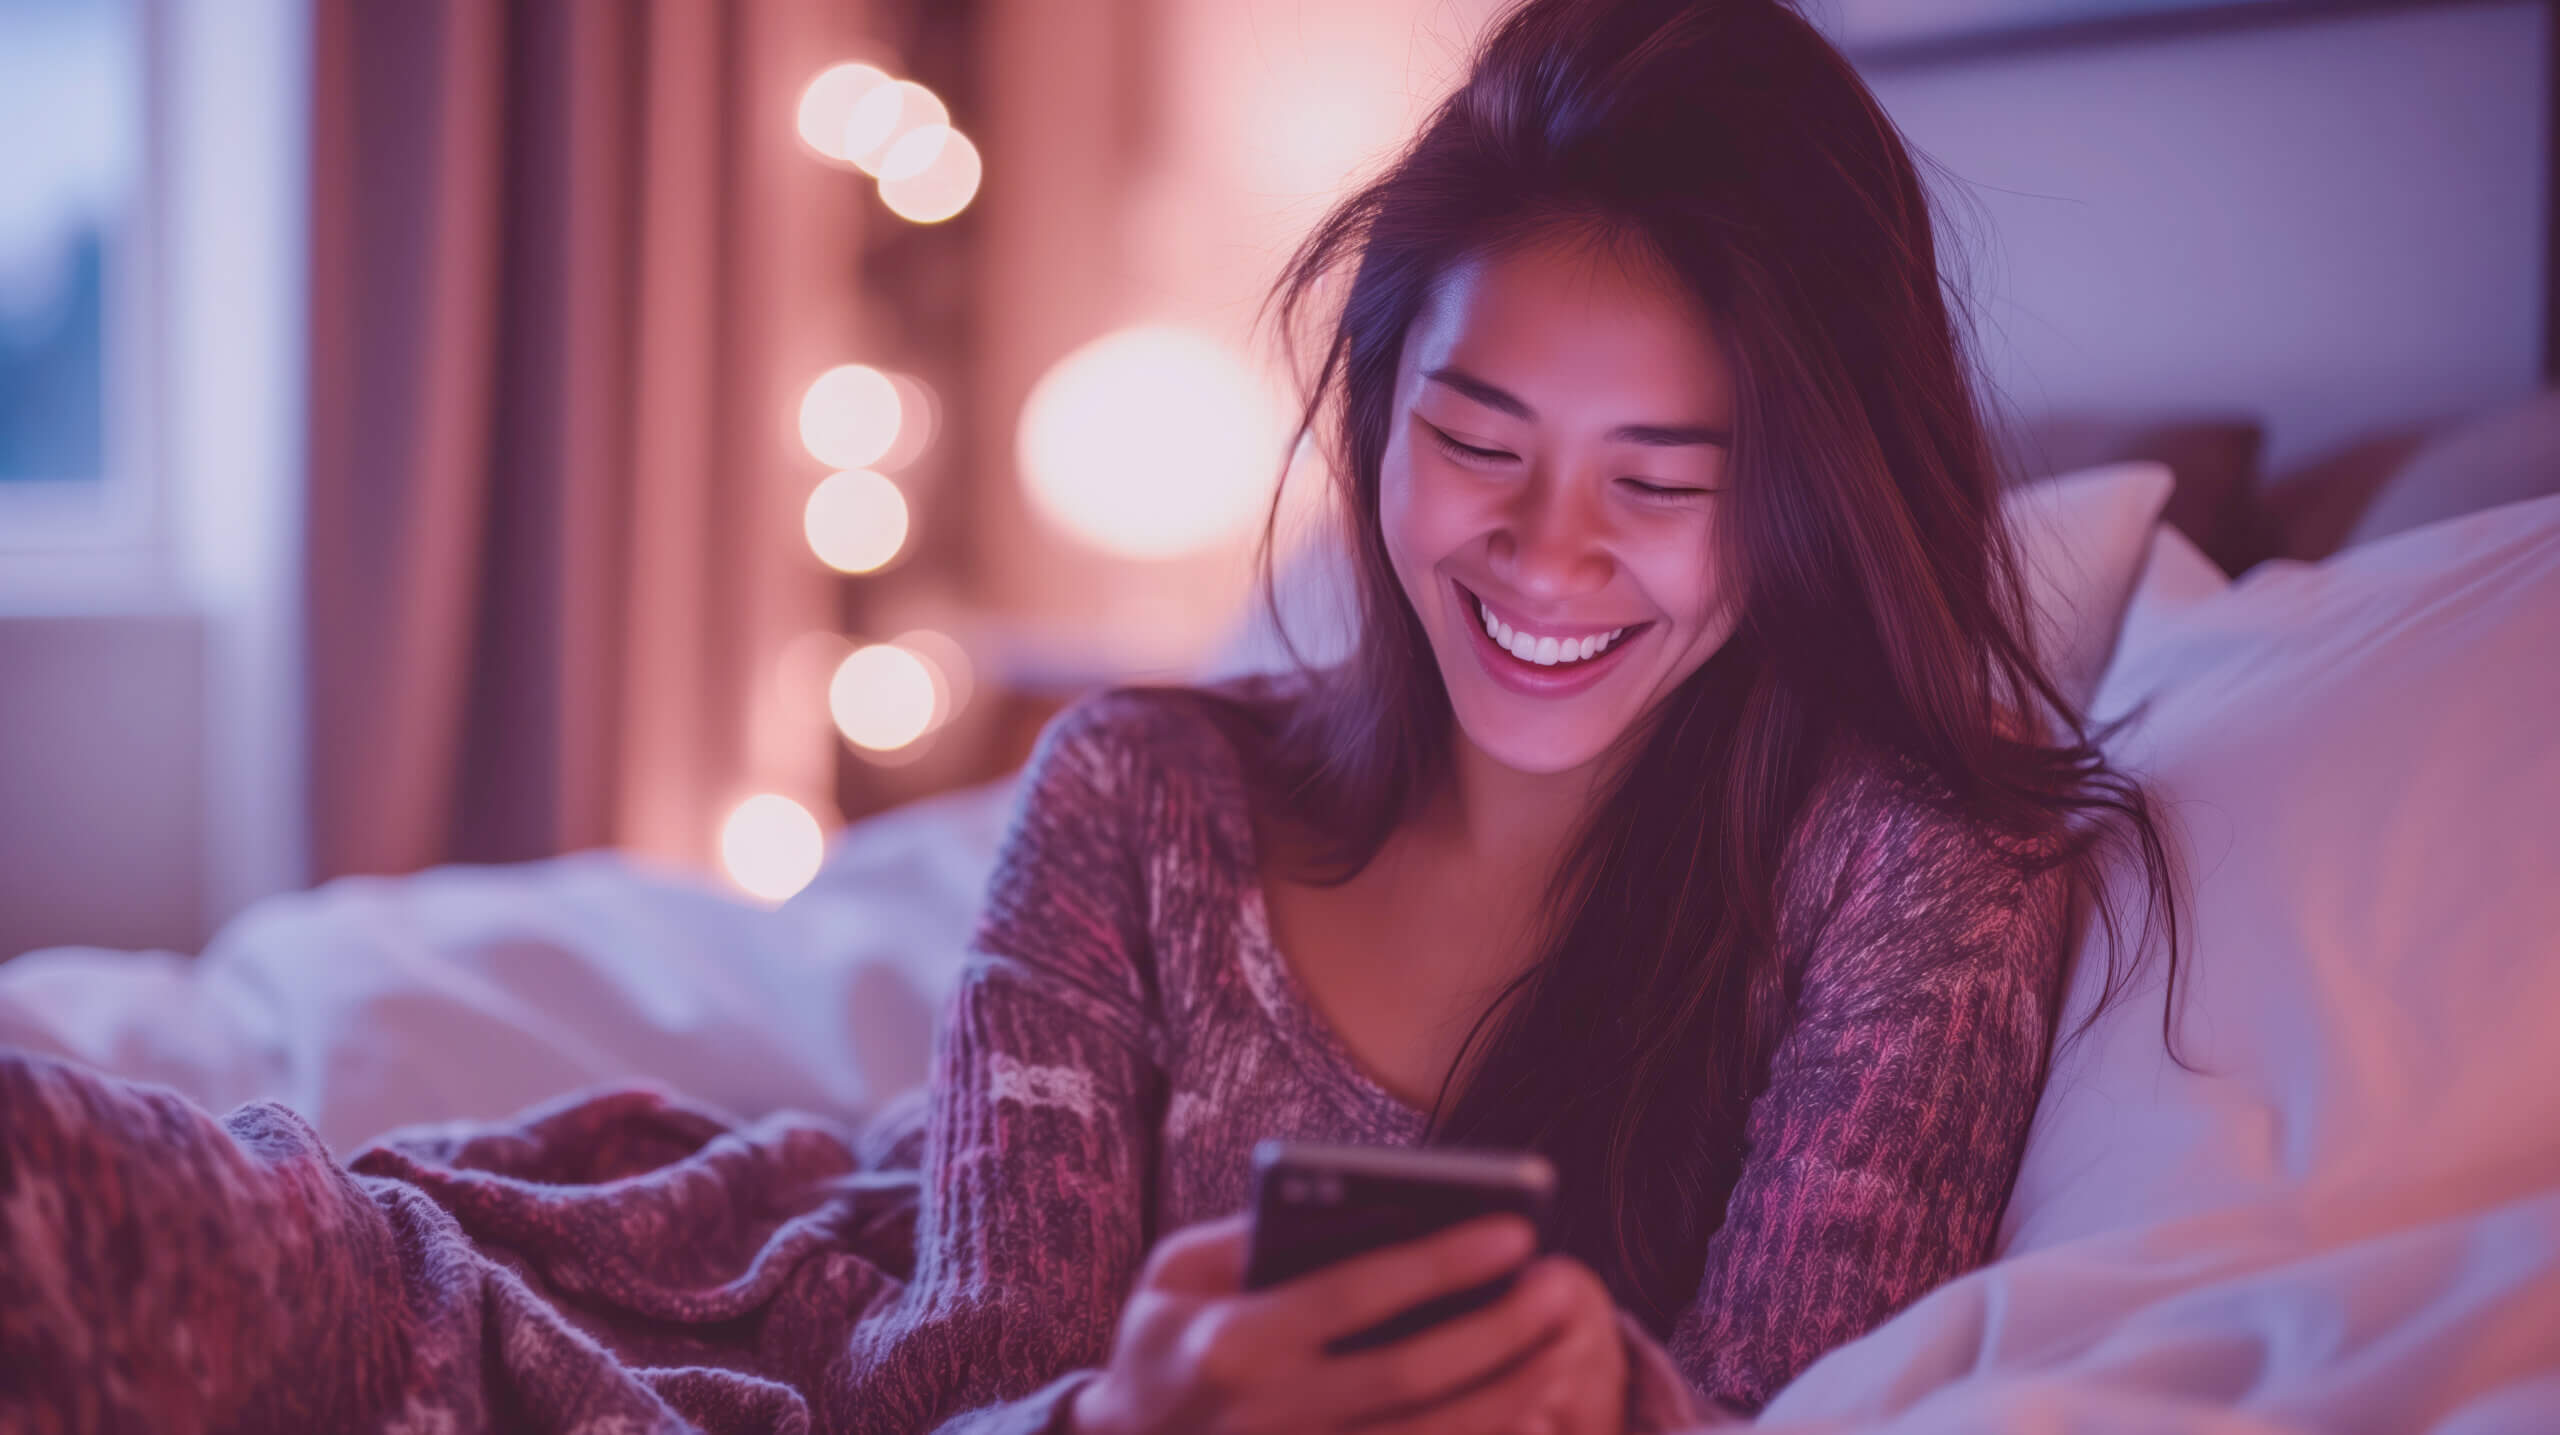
<point>1550,495</point>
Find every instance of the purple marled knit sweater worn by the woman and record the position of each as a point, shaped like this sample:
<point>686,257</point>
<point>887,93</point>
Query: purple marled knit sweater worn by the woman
<point>1128,1032</point>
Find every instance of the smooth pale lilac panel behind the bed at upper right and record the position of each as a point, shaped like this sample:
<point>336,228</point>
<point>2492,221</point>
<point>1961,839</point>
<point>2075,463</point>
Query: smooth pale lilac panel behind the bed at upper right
<point>2336,224</point>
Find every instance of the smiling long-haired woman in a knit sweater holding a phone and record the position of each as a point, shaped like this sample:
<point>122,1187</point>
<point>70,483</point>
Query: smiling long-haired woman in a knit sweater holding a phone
<point>1686,810</point>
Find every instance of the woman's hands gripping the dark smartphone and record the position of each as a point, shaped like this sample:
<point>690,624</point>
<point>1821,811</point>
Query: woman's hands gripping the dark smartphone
<point>1202,1354</point>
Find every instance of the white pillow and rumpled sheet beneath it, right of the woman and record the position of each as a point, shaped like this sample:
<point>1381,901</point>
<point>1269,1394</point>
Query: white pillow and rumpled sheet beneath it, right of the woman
<point>2351,1219</point>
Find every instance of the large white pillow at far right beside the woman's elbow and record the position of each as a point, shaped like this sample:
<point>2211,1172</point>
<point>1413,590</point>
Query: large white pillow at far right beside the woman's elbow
<point>2362,758</point>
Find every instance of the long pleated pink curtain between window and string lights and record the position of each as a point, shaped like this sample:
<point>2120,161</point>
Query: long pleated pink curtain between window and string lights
<point>570,275</point>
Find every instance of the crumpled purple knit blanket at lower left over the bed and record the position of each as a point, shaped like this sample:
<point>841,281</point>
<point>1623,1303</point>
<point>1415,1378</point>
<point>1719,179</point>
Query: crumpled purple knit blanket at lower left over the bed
<point>616,1262</point>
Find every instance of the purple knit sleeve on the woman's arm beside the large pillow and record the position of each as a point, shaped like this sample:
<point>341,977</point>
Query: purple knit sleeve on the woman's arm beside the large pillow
<point>1885,1145</point>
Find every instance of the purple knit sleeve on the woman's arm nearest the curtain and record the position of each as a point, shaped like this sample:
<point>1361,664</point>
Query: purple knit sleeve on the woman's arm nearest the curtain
<point>1043,1106</point>
